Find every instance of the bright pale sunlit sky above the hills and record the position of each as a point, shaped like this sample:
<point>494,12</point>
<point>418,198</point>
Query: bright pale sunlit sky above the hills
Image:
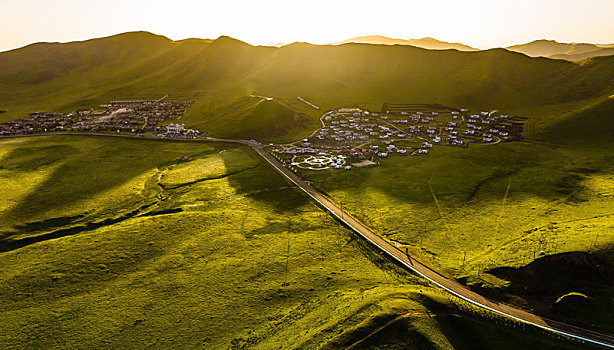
<point>479,23</point>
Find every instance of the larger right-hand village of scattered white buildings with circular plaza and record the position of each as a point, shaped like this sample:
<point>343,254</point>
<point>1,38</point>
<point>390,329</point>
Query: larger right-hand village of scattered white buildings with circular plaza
<point>355,137</point>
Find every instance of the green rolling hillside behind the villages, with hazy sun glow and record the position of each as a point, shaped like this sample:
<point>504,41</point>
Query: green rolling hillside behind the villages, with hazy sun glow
<point>222,75</point>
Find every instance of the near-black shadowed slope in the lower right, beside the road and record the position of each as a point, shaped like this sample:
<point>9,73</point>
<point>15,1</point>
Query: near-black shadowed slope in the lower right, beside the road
<point>573,287</point>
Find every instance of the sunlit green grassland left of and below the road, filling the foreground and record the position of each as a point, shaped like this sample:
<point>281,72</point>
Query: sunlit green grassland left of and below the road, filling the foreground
<point>218,251</point>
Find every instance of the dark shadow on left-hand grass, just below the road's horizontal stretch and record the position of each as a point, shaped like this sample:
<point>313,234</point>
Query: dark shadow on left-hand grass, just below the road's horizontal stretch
<point>84,168</point>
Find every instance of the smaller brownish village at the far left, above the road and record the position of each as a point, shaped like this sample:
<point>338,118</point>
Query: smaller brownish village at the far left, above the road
<point>135,117</point>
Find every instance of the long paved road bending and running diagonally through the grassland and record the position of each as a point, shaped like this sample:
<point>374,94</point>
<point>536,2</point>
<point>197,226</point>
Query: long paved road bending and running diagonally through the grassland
<point>415,266</point>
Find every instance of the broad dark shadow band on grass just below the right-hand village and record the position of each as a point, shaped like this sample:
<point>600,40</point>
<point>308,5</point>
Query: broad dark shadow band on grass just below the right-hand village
<point>479,173</point>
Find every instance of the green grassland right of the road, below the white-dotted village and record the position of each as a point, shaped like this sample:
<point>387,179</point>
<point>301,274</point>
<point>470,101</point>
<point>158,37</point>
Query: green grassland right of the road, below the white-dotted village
<point>465,211</point>
